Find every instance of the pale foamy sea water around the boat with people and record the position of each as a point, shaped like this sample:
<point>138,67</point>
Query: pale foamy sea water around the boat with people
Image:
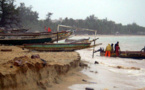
<point>106,75</point>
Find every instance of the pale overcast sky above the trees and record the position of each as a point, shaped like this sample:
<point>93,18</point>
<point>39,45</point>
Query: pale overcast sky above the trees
<point>120,11</point>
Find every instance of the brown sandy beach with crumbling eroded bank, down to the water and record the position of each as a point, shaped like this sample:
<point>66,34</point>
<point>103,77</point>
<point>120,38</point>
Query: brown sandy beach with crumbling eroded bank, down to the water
<point>21,72</point>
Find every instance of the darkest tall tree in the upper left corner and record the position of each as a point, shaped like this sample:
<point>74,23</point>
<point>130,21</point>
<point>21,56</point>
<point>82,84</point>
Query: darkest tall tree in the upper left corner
<point>8,14</point>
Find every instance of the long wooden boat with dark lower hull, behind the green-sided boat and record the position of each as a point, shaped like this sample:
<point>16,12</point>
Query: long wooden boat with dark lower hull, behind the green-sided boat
<point>30,38</point>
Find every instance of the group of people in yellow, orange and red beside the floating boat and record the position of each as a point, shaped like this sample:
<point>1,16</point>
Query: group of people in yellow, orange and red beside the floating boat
<point>110,49</point>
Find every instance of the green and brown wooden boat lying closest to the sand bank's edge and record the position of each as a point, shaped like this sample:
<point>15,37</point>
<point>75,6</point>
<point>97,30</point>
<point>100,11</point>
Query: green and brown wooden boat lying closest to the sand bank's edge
<point>59,46</point>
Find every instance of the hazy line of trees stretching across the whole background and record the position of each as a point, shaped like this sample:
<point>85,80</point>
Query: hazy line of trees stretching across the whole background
<point>23,17</point>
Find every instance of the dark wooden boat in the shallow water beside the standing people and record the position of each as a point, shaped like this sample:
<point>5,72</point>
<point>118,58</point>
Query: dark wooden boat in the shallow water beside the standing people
<point>127,54</point>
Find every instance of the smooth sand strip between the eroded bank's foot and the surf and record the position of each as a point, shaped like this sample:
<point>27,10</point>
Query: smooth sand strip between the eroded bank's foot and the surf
<point>73,77</point>
